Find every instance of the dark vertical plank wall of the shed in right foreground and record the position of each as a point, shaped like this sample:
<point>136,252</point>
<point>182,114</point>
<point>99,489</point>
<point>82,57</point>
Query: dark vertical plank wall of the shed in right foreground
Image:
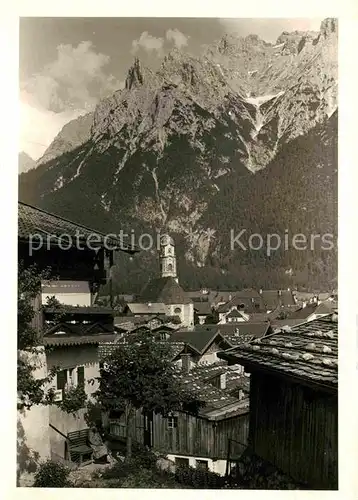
<point>296,429</point>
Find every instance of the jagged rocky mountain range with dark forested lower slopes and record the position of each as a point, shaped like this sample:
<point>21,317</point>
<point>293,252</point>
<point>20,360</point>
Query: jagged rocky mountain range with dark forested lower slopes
<point>243,137</point>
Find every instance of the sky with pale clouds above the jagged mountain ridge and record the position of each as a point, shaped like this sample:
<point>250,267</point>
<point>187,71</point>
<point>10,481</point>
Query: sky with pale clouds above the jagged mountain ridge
<point>68,64</point>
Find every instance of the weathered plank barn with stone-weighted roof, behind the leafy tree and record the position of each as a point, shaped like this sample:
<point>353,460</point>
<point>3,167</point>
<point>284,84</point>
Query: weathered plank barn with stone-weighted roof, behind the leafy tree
<point>198,440</point>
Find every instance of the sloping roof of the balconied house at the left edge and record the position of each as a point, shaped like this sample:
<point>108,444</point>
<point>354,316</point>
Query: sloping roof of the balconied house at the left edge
<point>34,221</point>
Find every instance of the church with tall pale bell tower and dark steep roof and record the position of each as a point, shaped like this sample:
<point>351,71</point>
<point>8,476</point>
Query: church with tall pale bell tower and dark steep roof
<point>166,289</point>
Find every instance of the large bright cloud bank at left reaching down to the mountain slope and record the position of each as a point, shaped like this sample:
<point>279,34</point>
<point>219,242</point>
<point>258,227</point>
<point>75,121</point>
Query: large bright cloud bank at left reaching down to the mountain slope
<point>64,89</point>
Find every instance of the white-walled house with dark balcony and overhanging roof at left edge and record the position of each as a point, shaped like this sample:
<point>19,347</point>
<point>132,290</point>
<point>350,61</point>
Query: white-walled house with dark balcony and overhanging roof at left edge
<point>70,331</point>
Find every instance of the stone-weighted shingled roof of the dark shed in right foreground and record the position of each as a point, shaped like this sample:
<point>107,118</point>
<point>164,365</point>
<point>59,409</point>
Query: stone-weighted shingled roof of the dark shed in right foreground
<point>307,353</point>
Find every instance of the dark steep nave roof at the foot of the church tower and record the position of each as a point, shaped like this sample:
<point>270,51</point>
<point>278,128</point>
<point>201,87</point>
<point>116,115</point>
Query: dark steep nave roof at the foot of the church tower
<point>165,290</point>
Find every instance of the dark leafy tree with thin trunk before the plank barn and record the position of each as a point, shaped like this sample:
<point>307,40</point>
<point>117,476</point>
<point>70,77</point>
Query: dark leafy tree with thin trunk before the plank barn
<point>140,374</point>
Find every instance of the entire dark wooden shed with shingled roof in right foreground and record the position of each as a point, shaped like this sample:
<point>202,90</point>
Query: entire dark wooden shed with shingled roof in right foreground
<point>293,400</point>
